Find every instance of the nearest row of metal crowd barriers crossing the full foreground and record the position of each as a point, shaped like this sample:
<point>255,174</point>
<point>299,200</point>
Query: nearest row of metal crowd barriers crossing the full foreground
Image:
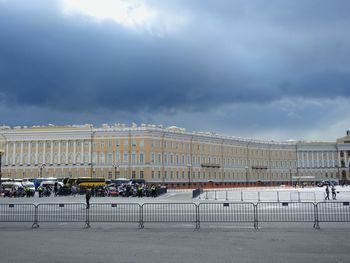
<point>213,212</point>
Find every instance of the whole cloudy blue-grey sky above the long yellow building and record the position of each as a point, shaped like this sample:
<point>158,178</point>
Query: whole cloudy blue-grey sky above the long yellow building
<point>263,69</point>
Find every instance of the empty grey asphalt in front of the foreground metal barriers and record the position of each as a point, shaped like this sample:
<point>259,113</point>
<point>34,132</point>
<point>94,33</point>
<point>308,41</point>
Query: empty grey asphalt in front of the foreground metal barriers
<point>161,243</point>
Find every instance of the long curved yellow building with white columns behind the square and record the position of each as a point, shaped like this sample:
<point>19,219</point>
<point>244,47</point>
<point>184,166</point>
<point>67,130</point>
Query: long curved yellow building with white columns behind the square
<point>167,155</point>
